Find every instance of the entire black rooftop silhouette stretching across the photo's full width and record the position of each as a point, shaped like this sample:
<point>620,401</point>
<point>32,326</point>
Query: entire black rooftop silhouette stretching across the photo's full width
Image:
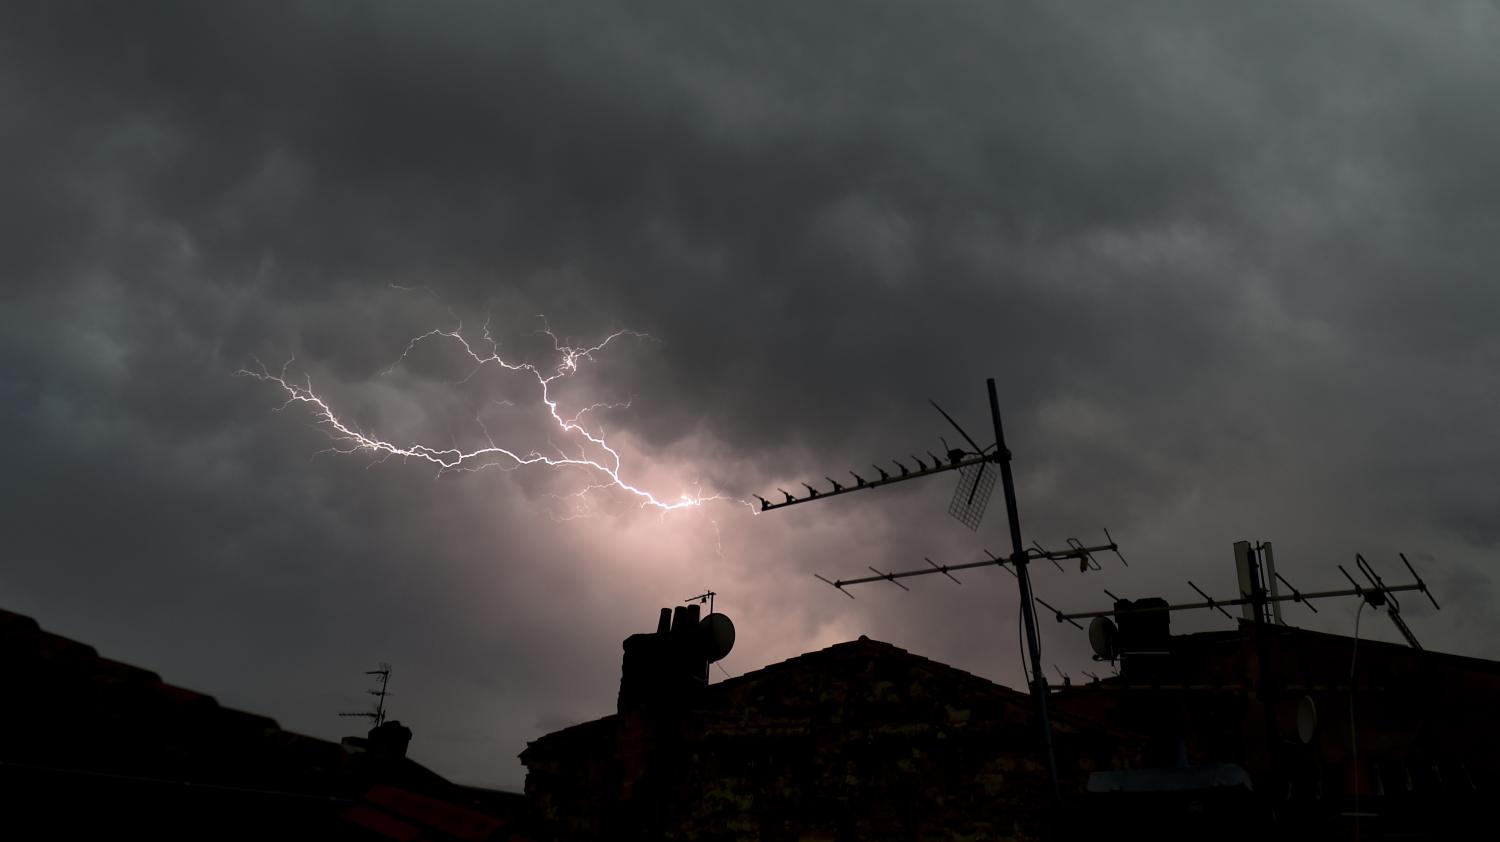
<point>1250,733</point>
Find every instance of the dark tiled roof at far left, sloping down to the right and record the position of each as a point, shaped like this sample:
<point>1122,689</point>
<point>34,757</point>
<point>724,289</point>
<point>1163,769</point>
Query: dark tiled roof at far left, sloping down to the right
<point>94,748</point>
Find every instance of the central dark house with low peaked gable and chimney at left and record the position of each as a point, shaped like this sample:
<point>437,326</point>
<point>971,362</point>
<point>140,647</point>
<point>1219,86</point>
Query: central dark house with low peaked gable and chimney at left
<point>862,741</point>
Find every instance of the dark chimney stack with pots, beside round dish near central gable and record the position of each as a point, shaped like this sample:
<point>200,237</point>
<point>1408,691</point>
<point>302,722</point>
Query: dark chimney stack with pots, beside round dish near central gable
<point>667,669</point>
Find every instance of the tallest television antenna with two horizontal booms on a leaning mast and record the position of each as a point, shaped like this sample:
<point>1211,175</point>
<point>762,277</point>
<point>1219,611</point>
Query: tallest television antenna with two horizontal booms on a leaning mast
<point>977,468</point>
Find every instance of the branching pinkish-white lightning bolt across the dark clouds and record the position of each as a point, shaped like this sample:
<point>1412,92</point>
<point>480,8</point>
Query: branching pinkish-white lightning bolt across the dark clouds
<point>595,454</point>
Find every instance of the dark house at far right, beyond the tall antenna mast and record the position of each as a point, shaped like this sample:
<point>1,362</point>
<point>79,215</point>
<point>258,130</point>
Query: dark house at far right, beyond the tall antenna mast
<point>1328,730</point>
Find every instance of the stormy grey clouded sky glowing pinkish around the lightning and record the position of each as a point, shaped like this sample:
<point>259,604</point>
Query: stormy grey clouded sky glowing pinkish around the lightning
<point>1234,266</point>
